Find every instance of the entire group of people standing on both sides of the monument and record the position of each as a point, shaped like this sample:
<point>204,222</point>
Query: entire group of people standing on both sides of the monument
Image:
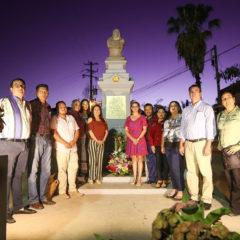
<point>29,134</point>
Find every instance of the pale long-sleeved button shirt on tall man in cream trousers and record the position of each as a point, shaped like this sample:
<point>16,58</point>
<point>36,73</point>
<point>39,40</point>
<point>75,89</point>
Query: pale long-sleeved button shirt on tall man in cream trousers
<point>198,121</point>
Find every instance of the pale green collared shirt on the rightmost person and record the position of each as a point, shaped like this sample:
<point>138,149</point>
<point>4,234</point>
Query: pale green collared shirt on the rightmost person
<point>229,128</point>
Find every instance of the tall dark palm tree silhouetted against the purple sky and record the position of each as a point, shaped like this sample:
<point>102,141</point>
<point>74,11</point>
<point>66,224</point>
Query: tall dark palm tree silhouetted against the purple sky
<point>191,40</point>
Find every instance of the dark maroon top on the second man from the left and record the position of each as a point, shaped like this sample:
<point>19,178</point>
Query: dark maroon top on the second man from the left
<point>41,117</point>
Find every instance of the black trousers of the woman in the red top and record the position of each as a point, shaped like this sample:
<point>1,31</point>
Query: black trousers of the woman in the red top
<point>162,165</point>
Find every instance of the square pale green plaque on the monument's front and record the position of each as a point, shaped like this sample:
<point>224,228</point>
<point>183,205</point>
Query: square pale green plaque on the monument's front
<point>116,107</point>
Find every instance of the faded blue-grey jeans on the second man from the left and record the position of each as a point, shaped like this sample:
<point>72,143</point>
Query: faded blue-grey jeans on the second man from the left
<point>39,165</point>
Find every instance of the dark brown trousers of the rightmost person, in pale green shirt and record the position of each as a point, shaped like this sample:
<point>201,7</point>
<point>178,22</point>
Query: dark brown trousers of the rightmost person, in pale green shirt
<point>233,178</point>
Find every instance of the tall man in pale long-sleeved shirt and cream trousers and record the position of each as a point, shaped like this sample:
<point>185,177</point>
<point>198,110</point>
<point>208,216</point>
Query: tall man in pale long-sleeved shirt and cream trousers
<point>198,129</point>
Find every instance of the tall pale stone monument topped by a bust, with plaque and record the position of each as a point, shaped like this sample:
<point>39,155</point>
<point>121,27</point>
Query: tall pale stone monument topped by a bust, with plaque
<point>115,85</point>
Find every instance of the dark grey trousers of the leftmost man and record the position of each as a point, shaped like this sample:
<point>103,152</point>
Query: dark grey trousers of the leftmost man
<point>17,160</point>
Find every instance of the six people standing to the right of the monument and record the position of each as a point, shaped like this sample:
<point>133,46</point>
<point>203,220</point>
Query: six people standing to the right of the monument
<point>171,141</point>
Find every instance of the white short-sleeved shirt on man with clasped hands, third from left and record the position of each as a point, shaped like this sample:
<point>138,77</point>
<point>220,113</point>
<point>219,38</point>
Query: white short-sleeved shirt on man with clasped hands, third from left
<point>66,128</point>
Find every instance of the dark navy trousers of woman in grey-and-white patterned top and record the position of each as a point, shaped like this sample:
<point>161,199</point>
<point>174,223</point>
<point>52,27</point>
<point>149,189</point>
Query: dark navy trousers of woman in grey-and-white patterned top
<point>176,165</point>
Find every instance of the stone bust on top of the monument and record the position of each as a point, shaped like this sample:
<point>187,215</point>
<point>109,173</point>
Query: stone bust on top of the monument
<point>115,45</point>
